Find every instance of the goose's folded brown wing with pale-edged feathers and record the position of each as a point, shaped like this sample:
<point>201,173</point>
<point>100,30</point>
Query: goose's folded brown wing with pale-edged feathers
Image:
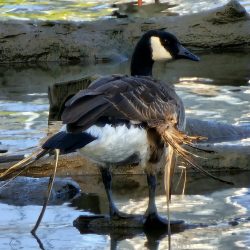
<point>140,99</point>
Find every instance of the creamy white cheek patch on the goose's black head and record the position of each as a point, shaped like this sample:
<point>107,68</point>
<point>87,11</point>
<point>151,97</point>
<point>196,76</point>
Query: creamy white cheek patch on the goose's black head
<point>158,51</point>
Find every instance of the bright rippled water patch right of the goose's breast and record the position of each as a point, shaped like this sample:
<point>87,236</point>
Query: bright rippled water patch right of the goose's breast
<point>213,102</point>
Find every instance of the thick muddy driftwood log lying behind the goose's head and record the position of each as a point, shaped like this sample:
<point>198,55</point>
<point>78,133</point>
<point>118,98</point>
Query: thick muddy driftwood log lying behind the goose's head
<point>33,41</point>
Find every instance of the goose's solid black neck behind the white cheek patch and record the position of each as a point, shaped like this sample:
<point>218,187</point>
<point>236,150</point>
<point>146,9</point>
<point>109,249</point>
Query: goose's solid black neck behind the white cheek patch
<point>142,63</point>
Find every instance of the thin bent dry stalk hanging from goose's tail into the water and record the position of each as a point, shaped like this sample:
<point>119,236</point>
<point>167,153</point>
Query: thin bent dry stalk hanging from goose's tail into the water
<point>50,186</point>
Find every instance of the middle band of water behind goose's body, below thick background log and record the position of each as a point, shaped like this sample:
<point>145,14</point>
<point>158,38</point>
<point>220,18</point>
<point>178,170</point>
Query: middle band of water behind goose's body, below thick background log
<point>213,89</point>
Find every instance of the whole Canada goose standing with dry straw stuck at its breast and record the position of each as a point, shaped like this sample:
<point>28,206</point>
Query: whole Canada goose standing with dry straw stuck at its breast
<point>122,119</point>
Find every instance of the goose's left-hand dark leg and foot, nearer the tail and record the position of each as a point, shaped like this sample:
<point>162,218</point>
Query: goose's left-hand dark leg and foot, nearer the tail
<point>107,181</point>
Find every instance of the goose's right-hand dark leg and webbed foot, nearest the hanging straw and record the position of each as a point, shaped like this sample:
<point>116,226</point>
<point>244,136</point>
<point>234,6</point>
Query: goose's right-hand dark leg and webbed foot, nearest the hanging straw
<point>152,218</point>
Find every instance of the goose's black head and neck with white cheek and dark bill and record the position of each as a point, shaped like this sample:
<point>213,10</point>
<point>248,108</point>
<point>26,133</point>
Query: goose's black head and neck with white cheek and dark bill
<point>157,45</point>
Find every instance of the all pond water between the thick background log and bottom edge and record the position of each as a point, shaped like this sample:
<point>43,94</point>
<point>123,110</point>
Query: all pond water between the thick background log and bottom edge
<point>216,88</point>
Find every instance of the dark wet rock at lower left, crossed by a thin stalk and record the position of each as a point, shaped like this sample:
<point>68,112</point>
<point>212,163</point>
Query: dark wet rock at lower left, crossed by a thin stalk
<point>32,191</point>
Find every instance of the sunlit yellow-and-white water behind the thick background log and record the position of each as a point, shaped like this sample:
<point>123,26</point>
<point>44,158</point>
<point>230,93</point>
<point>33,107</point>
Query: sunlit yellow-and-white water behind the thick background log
<point>81,10</point>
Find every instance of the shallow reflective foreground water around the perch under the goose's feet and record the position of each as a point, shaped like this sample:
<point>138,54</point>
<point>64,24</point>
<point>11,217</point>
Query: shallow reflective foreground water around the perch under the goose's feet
<point>218,218</point>
